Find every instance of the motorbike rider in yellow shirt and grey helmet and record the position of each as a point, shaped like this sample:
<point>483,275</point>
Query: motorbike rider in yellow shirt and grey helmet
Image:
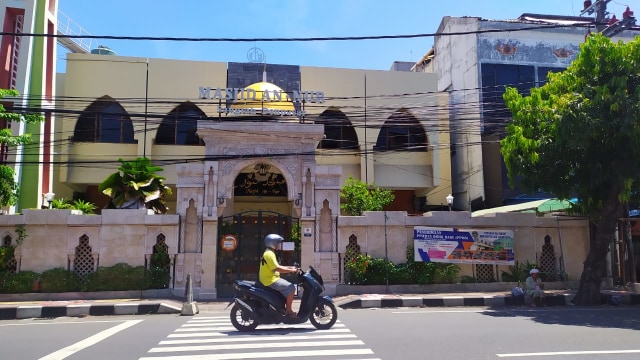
<point>270,271</point>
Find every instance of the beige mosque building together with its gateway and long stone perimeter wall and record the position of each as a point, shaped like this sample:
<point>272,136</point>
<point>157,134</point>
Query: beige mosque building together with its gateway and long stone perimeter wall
<point>269,157</point>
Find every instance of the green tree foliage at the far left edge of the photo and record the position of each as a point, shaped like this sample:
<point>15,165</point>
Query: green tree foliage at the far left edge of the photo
<point>9,187</point>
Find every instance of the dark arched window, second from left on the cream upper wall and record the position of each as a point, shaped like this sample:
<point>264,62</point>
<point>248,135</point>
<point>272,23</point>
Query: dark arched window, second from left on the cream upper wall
<point>180,125</point>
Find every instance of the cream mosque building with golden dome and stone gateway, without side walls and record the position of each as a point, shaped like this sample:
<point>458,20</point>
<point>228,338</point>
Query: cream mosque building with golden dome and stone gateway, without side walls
<point>250,149</point>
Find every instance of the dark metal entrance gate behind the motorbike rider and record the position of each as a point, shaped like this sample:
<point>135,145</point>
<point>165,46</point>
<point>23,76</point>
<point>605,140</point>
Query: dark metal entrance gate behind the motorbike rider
<point>242,261</point>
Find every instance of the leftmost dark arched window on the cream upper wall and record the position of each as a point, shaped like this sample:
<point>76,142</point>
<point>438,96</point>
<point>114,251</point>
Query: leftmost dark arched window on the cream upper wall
<point>105,120</point>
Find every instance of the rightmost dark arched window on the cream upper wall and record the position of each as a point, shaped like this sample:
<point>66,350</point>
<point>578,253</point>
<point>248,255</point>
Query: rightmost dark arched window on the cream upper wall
<point>402,132</point>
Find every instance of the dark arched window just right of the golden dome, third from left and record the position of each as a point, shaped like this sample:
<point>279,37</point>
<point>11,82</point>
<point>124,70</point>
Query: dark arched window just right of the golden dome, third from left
<point>338,131</point>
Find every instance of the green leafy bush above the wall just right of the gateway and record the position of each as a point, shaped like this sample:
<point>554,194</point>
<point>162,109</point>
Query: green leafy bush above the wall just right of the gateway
<point>359,197</point>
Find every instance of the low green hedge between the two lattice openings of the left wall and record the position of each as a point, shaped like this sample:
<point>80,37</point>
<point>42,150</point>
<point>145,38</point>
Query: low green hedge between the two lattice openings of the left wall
<point>115,278</point>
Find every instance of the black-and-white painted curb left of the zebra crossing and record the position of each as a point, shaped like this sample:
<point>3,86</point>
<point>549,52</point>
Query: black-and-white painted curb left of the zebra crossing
<point>80,310</point>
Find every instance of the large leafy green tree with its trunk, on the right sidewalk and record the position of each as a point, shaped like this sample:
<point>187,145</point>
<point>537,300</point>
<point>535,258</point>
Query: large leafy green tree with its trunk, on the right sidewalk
<point>579,136</point>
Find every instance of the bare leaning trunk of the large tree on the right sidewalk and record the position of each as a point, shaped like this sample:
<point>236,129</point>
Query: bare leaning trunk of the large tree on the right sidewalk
<point>596,261</point>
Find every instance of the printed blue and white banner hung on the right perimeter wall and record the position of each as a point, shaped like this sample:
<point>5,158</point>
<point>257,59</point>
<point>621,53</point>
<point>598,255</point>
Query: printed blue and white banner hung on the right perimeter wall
<point>463,246</point>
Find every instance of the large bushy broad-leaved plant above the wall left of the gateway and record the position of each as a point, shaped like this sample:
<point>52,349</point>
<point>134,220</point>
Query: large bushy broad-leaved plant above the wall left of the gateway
<point>135,186</point>
